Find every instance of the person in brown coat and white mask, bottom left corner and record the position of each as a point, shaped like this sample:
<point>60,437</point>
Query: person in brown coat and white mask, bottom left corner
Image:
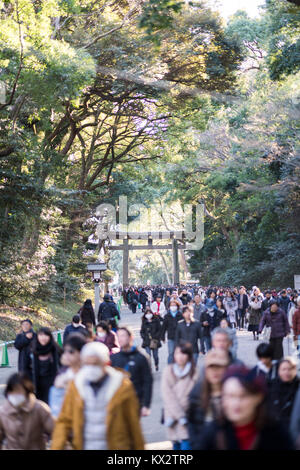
<point>25,422</point>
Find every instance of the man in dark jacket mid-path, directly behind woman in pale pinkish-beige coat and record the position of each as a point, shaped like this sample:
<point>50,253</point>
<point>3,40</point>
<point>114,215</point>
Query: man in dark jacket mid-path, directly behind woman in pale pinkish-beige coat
<point>188,330</point>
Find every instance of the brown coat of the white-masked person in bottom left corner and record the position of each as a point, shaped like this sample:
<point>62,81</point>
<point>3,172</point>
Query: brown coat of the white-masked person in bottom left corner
<point>24,428</point>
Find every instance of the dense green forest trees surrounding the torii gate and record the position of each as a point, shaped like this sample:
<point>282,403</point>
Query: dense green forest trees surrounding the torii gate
<point>158,100</point>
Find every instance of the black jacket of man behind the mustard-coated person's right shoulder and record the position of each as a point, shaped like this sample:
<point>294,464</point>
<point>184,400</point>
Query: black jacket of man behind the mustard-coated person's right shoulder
<point>137,364</point>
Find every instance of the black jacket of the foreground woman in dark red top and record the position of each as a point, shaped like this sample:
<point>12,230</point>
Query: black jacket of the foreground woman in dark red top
<point>221,436</point>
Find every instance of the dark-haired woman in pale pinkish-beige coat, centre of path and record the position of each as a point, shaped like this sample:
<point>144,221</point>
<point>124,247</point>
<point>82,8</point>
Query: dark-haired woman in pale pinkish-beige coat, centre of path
<point>178,379</point>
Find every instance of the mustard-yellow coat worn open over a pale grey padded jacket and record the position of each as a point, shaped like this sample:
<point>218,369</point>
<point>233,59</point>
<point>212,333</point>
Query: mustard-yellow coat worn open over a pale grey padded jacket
<point>123,431</point>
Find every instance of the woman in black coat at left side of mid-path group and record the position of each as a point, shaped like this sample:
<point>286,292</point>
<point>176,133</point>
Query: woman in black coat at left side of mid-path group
<point>151,333</point>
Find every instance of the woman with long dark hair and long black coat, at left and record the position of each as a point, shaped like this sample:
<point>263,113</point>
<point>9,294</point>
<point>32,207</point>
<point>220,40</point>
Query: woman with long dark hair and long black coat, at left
<point>45,361</point>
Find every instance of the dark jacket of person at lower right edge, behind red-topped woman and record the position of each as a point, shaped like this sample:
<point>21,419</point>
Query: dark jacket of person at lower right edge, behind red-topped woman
<point>281,399</point>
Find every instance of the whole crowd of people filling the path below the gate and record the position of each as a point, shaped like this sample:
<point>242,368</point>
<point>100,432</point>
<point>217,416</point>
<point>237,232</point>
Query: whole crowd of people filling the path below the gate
<point>93,393</point>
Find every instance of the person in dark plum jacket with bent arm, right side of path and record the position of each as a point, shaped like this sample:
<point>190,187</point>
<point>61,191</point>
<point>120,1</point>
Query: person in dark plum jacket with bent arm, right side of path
<point>275,318</point>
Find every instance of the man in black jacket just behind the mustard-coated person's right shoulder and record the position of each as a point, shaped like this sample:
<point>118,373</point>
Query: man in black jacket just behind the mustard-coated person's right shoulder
<point>132,360</point>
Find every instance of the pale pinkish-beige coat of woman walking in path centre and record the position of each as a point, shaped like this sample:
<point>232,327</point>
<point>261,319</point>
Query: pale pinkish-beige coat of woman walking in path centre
<point>175,394</point>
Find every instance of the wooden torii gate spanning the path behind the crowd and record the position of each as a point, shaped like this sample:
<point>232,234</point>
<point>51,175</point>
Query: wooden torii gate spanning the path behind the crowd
<point>177,243</point>
